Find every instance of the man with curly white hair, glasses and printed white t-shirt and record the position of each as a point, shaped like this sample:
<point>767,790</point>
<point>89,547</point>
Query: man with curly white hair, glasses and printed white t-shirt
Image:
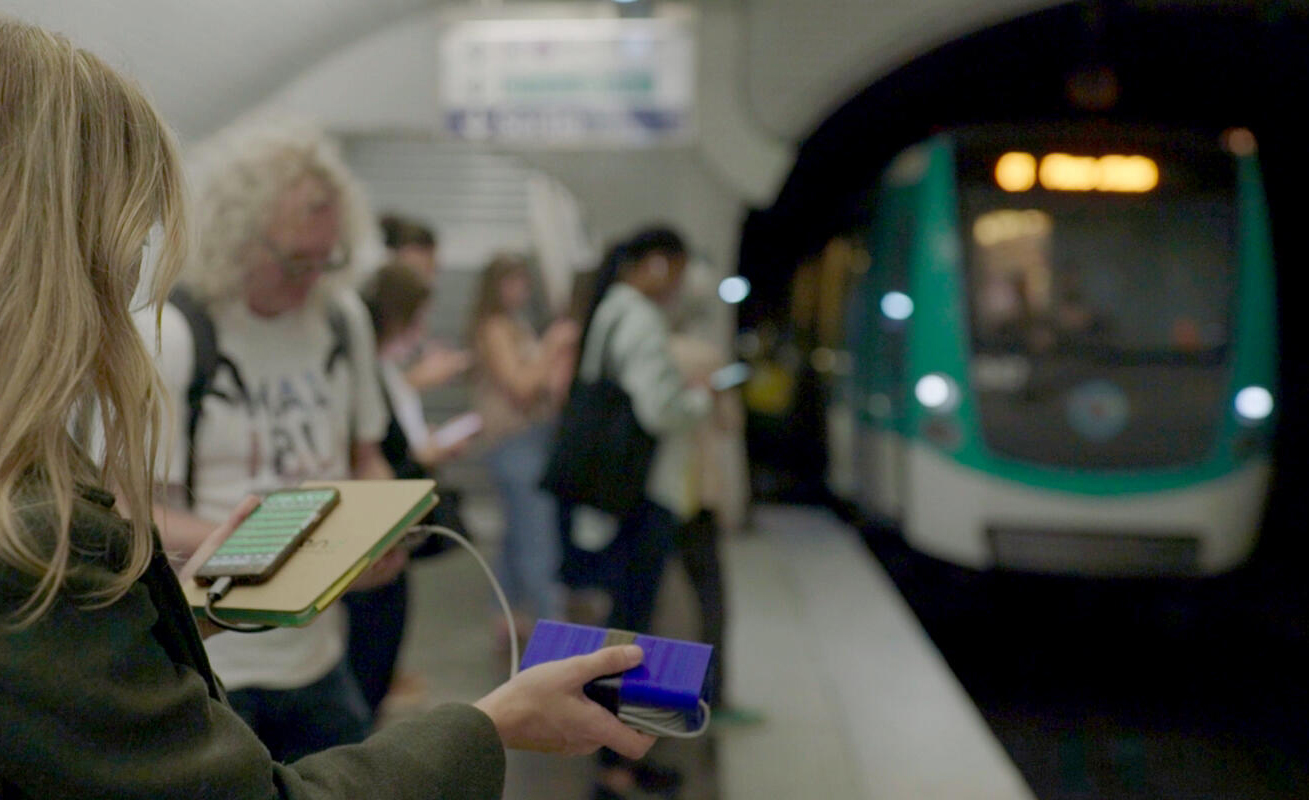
<point>293,397</point>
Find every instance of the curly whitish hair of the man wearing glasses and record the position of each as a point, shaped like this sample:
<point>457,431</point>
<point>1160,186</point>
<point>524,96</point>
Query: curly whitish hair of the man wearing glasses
<point>240,175</point>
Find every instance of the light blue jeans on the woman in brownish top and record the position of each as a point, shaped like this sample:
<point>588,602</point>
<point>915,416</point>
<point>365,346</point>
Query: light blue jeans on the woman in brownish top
<point>531,555</point>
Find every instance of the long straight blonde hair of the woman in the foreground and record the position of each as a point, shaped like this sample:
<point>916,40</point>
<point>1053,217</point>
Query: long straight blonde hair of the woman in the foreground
<point>88,170</point>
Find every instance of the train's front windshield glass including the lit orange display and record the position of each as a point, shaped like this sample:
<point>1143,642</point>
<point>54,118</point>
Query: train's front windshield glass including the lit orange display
<point>1104,274</point>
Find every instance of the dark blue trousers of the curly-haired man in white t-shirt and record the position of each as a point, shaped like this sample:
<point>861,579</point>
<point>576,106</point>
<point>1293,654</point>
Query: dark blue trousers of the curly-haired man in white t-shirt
<point>325,714</point>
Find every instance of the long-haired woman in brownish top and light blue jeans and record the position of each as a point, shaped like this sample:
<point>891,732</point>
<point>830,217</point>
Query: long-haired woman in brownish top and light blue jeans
<point>519,386</point>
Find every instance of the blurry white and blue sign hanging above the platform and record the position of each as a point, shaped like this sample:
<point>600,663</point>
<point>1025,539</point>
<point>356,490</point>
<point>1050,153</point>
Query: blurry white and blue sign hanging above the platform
<point>570,83</point>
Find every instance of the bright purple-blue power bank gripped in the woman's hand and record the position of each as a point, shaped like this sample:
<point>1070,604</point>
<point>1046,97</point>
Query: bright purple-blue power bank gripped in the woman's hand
<point>672,676</point>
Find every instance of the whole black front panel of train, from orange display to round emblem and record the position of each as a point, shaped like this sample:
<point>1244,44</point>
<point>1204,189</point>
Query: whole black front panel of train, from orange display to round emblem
<point>1102,287</point>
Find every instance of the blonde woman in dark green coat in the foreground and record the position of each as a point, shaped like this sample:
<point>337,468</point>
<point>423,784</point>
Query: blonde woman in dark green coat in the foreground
<point>105,688</point>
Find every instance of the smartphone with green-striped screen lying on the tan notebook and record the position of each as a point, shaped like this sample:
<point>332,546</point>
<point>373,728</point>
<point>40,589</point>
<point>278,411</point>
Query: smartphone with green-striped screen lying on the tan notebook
<point>269,536</point>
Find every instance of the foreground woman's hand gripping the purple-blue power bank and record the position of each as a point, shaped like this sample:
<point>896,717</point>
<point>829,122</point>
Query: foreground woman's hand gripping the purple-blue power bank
<point>544,709</point>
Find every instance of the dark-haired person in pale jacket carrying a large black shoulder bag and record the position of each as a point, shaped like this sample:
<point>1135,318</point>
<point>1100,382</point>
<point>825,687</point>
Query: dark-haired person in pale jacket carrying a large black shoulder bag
<point>628,338</point>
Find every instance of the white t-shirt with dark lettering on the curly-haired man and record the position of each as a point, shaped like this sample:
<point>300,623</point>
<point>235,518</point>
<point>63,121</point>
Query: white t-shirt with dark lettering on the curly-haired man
<point>277,414</point>
